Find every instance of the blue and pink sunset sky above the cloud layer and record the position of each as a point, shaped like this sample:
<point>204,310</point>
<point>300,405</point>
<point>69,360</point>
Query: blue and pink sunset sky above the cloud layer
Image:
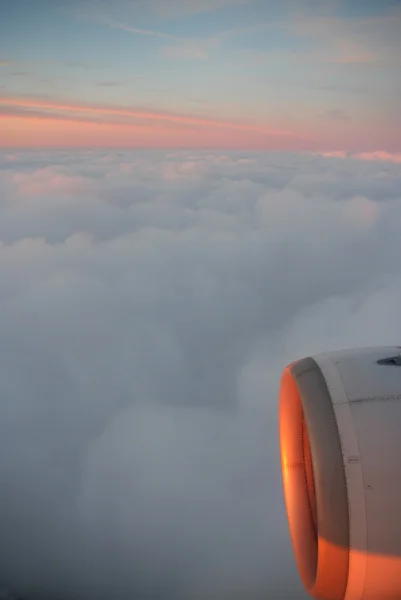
<point>307,75</point>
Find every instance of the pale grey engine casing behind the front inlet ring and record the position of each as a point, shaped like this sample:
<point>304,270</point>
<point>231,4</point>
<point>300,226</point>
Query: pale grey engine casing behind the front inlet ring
<point>366,398</point>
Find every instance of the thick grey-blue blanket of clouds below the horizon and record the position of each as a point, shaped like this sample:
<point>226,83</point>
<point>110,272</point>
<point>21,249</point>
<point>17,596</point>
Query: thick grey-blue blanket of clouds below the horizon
<point>149,303</point>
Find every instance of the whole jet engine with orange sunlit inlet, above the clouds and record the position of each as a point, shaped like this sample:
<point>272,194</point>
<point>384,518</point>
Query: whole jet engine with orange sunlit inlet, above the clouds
<point>340,443</point>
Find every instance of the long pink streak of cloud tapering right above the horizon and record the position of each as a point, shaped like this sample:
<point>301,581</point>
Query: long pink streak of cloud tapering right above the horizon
<point>28,122</point>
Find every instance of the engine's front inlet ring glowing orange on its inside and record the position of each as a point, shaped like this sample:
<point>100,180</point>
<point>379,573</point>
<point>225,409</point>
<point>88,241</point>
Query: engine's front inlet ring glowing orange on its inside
<point>314,480</point>
